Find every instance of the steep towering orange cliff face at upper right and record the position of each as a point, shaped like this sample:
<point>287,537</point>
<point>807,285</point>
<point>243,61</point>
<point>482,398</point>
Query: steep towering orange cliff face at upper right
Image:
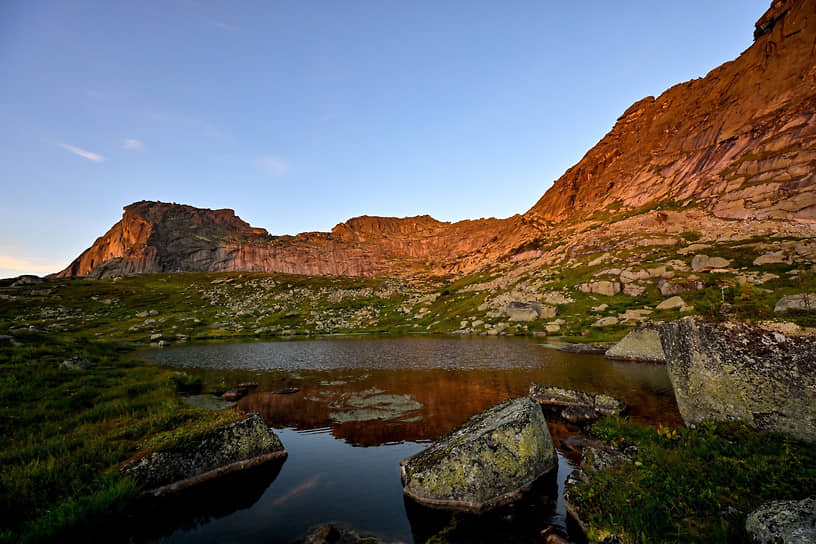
<point>739,142</point>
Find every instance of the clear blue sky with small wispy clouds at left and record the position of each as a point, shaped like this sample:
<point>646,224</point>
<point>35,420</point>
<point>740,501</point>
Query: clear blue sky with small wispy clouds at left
<point>300,115</point>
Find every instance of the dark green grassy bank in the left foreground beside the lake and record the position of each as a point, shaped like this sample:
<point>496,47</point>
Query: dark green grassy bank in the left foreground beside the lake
<point>67,427</point>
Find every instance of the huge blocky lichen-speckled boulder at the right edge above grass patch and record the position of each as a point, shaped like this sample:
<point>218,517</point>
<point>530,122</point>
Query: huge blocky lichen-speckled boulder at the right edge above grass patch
<point>736,372</point>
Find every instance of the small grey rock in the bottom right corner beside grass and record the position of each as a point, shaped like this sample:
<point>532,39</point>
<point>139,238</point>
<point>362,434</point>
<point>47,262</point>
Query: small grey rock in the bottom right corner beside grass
<point>783,522</point>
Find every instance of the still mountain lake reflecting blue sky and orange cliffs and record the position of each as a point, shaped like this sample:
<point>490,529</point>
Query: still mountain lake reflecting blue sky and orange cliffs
<point>362,405</point>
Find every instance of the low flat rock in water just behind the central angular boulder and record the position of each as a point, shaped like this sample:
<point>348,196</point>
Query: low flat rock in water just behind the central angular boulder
<point>576,406</point>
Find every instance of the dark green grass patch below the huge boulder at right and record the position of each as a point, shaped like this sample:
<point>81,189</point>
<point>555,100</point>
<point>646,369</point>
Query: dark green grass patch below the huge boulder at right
<point>691,485</point>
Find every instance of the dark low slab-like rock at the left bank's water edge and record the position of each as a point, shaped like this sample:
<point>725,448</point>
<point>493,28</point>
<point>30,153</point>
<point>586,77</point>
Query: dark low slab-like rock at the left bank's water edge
<point>242,444</point>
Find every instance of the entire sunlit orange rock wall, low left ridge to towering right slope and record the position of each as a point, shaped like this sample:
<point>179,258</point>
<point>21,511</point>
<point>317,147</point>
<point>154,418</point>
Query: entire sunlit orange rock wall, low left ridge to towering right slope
<point>739,143</point>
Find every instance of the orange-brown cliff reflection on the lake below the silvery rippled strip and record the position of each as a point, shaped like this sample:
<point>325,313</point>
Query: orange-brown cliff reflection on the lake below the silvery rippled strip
<point>372,407</point>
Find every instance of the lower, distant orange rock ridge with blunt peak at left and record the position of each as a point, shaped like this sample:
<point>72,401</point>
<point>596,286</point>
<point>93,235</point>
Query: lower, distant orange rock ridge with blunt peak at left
<point>161,237</point>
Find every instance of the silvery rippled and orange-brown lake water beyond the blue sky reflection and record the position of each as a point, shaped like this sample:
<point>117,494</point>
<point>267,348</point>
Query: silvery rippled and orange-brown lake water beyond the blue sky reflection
<point>372,391</point>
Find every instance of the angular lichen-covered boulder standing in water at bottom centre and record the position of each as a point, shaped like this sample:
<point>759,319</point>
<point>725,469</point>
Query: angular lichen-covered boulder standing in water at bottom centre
<point>486,462</point>
